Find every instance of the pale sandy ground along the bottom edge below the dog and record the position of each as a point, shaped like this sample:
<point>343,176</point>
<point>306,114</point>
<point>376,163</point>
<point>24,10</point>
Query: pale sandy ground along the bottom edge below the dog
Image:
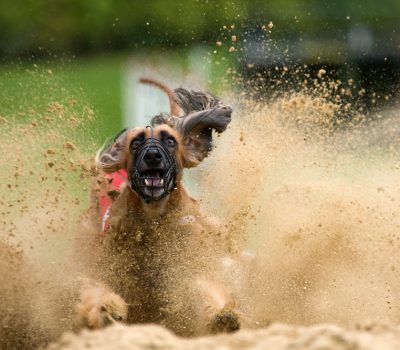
<point>277,337</point>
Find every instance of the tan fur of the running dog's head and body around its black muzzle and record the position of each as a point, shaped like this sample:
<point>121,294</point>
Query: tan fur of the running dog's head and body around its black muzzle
<point>161,258</point>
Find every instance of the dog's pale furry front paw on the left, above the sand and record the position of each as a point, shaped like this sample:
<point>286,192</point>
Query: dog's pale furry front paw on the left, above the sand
<point>99,308</point>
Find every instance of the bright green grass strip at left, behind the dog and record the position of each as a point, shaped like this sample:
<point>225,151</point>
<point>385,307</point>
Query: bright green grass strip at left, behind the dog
<point>94,82</point>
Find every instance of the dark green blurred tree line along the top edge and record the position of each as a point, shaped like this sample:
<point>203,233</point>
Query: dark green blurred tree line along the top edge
<point>42,27</point>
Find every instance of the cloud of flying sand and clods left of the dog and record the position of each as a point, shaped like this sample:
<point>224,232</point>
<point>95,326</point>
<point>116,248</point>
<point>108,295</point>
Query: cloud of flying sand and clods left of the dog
<point>43,181</point>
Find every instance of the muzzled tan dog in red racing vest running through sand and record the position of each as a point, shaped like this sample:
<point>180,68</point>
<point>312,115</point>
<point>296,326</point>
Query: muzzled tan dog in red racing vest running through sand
<point>158,257</point>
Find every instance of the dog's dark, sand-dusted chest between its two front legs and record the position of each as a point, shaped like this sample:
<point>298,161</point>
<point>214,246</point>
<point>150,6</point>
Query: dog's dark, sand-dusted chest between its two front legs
<point>145,261</point>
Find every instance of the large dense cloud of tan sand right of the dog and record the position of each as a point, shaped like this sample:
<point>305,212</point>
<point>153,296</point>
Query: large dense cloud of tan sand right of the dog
<point>318,204</point>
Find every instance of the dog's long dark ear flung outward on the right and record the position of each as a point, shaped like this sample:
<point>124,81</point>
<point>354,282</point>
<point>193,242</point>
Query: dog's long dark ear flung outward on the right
<point>196,130</point>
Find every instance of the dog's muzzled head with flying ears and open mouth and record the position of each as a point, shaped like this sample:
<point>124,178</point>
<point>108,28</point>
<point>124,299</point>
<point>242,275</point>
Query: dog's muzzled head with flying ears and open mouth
<point>154,156</point>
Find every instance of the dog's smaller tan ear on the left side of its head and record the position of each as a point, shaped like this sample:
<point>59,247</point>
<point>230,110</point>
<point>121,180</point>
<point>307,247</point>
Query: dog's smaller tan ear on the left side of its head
<point>111,157</point>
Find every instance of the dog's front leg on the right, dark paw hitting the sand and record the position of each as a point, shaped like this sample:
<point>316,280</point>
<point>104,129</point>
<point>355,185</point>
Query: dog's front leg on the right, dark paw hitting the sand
<point>218,307</point>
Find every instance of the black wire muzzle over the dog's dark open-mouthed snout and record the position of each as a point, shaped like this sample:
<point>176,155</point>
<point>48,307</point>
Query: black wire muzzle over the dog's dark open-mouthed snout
<point>153,176</point>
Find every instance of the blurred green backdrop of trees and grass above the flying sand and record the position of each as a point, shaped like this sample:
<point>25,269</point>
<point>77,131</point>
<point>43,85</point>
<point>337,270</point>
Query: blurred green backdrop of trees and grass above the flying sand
<point>87,43</point>
